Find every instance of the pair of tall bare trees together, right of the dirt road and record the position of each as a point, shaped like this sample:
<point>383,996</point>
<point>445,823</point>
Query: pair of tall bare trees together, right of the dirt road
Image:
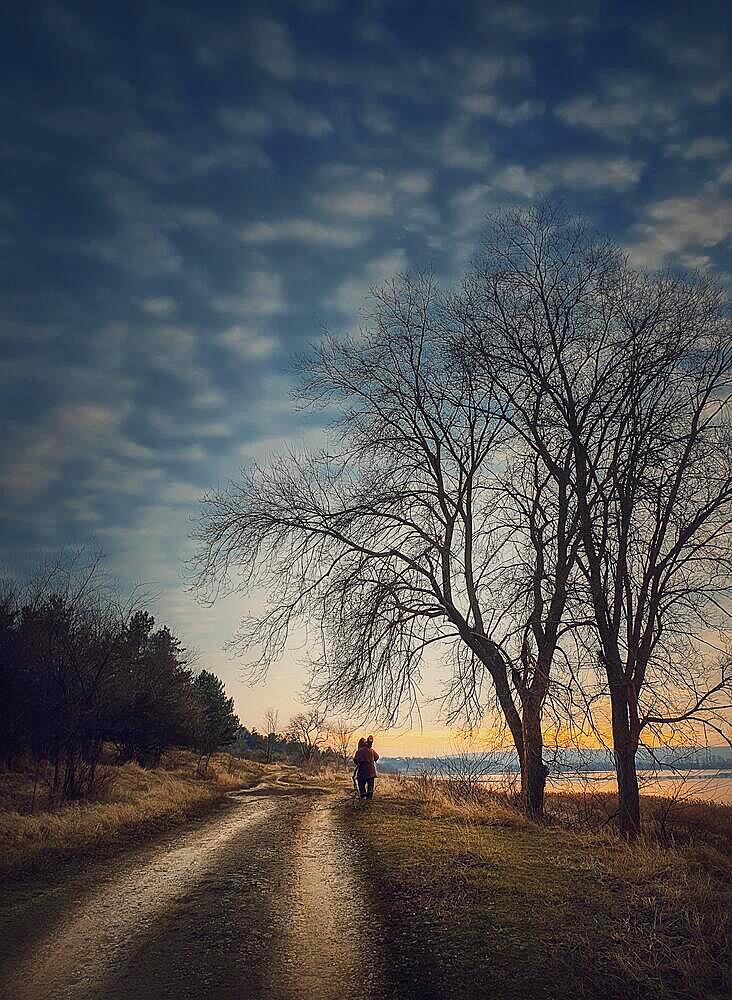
<point>529,475</point>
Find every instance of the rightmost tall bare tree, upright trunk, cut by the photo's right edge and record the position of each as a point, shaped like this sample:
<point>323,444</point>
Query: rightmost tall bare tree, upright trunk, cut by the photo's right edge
<point>618,383</point>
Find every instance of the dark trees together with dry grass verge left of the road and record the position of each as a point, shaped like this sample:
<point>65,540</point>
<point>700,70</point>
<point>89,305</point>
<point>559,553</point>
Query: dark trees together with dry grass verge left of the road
<point>108,729</point>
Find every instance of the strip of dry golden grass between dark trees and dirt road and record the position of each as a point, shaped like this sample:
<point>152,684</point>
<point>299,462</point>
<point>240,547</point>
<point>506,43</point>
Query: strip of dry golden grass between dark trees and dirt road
<point>132,802</point>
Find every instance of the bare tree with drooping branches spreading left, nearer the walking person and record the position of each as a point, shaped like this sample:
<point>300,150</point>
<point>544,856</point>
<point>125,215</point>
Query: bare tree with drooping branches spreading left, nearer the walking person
<point>403,534</point>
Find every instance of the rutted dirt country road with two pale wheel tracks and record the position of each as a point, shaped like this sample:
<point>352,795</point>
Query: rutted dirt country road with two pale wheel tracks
<point>260,900</point>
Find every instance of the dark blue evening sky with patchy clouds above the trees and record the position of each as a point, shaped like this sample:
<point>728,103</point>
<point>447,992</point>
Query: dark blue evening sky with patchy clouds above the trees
<point>192,193</point>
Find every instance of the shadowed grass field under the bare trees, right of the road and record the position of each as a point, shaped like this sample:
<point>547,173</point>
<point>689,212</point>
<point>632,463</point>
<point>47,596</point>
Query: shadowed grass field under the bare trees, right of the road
<point>477,902</point>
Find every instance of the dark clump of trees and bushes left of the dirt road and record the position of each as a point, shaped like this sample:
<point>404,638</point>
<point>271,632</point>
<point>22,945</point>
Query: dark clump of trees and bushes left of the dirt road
<point>81,671</point>
